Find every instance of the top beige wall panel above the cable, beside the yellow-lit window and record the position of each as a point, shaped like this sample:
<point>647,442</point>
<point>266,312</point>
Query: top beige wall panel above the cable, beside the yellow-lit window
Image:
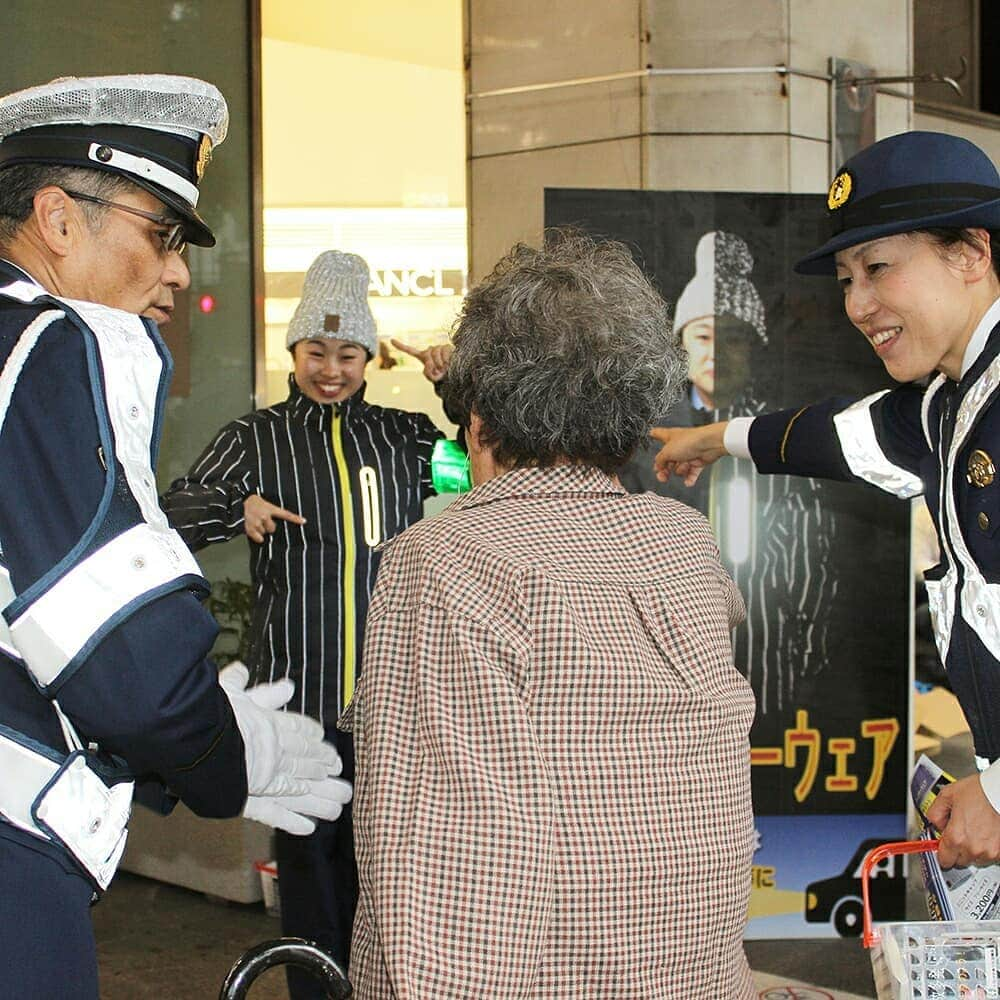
<point>518,42</point>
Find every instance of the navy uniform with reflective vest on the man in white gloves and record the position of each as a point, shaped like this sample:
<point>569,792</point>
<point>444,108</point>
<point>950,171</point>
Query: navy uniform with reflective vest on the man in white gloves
<point>138,688</point>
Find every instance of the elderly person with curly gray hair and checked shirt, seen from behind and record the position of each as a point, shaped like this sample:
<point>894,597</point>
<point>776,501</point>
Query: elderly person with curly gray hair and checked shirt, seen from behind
<point>553,793</point>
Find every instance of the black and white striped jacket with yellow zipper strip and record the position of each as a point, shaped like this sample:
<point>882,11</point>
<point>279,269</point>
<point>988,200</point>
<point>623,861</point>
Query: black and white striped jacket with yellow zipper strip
<point>359,475</point>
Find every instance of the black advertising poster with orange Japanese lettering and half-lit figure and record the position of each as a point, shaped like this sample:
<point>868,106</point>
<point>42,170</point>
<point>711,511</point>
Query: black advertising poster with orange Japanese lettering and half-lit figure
<point>823,566</point>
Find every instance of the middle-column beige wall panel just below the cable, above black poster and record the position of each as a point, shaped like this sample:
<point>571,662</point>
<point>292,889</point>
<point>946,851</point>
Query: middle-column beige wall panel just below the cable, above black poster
<point>718,163</point>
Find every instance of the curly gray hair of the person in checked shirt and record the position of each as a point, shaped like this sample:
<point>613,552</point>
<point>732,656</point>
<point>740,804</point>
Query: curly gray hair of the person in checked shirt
<point>565,353</point>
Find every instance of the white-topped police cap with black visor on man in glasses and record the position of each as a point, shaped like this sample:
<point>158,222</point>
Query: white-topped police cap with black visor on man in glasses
<point>157,131</point>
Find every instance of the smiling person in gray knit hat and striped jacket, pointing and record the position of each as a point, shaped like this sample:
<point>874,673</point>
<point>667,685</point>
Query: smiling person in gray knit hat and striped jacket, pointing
<point>316,483</point>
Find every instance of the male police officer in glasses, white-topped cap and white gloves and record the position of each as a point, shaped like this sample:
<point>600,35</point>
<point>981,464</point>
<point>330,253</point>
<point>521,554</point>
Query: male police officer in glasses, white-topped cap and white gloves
<point>103,641</point>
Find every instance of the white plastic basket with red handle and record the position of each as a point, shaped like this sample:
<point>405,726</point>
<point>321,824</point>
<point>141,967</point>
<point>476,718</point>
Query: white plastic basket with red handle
<point>930,960</point>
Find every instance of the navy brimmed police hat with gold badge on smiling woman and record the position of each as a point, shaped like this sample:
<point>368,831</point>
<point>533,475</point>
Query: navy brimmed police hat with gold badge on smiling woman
<point>911,181</point>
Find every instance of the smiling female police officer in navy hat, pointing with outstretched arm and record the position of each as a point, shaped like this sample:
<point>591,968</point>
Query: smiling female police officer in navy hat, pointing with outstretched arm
<point>912,238</point>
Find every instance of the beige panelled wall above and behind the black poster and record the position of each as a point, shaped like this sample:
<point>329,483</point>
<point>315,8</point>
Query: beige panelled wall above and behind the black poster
<point>747,131</point>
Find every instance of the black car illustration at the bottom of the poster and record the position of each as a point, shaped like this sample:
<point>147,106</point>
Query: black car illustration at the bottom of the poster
<point>837,899</point>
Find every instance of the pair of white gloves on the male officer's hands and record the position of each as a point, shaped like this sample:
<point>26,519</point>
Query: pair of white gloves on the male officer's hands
<point>290,767</point>
